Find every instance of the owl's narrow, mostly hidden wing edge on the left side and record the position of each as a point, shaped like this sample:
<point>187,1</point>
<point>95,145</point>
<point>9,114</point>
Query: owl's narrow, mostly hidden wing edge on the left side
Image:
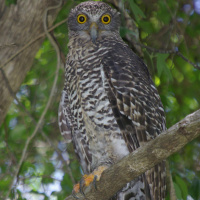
<point>64,117</point>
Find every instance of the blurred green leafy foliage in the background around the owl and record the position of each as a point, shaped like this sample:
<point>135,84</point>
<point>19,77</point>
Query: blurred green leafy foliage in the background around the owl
<point>44,174</point>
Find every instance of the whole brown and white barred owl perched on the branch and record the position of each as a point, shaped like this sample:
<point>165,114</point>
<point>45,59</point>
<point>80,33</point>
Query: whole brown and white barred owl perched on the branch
<point>109,105</point>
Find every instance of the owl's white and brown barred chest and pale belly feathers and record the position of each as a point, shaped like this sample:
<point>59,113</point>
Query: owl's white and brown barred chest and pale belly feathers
<point>90,104</point>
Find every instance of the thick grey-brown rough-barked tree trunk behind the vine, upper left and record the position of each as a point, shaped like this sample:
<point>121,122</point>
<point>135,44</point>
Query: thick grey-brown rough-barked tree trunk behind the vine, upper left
<point>19,24</point>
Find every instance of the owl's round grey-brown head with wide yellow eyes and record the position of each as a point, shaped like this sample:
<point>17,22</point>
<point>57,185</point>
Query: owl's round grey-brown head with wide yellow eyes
<point>92,19</point>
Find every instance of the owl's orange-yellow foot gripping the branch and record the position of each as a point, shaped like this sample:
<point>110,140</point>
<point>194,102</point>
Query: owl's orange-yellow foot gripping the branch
<point>88,179</point>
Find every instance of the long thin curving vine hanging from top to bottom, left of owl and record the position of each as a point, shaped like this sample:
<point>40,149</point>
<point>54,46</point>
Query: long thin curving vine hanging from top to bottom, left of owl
<point>40,122</point>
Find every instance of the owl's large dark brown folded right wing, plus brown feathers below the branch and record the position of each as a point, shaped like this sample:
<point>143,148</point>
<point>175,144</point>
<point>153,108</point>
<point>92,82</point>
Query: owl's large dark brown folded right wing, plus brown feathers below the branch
<point>137,107</point>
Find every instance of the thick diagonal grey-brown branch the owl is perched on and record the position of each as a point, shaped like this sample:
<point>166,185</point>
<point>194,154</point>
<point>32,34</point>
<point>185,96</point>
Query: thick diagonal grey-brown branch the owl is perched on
<point>144,158</point>
